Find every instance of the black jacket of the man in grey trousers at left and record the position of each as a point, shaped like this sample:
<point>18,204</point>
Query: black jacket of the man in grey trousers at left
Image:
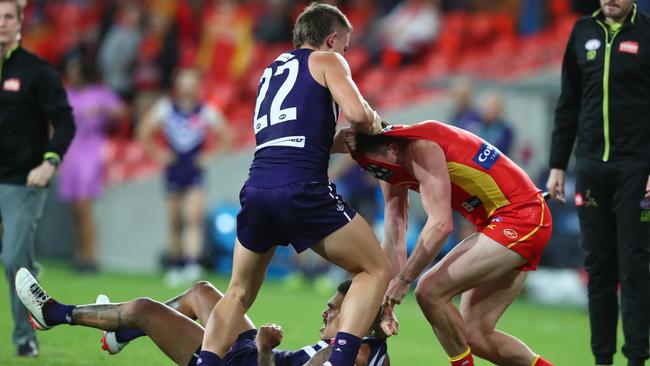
<point>32,99</point>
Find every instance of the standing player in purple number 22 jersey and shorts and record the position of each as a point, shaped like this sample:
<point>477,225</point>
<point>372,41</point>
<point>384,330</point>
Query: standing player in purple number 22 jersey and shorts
<point>287,198</point>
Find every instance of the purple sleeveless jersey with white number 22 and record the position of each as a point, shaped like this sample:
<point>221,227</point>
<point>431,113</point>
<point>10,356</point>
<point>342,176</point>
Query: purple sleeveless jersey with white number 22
<point>294,123</point>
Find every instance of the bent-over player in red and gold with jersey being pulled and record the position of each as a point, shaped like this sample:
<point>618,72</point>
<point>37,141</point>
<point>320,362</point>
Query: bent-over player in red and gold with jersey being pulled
<point>454,169</point>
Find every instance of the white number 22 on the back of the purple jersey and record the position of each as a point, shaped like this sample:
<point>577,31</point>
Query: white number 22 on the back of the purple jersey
<point>276,114</point>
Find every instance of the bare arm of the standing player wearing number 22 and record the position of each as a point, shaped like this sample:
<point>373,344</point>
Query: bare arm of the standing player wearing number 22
<point>332,71</point>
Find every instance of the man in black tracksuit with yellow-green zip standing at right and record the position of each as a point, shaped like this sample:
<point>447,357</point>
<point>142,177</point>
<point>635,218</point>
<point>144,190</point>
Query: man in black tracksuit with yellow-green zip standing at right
<point>605,108</point>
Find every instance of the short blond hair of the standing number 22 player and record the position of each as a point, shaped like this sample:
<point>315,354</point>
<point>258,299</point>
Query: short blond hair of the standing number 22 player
<point>317,22</point>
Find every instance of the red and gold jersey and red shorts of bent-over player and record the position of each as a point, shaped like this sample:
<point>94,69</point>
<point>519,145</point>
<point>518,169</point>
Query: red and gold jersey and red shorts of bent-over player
<point>487,188</point>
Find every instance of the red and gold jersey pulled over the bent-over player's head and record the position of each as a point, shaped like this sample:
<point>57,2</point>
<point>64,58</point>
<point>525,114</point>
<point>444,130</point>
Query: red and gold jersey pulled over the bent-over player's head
<point>482,178</point>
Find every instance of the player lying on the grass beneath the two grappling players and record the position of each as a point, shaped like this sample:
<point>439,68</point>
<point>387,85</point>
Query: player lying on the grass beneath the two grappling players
<point>163,323</point>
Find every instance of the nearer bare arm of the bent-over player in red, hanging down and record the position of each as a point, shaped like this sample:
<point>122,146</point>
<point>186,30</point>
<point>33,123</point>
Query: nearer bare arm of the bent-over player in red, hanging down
<point>426,162</point>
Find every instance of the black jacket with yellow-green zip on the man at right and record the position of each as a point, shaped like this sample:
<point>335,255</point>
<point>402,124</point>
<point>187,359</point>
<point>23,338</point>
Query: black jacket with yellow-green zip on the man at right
<point>604,106</point>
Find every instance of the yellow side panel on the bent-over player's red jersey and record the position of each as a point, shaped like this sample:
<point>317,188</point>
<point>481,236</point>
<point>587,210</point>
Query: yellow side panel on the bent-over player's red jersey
<point>479,184</point>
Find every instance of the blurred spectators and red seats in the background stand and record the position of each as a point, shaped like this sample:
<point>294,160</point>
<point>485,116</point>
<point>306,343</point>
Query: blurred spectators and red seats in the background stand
<point>134,47</point>
